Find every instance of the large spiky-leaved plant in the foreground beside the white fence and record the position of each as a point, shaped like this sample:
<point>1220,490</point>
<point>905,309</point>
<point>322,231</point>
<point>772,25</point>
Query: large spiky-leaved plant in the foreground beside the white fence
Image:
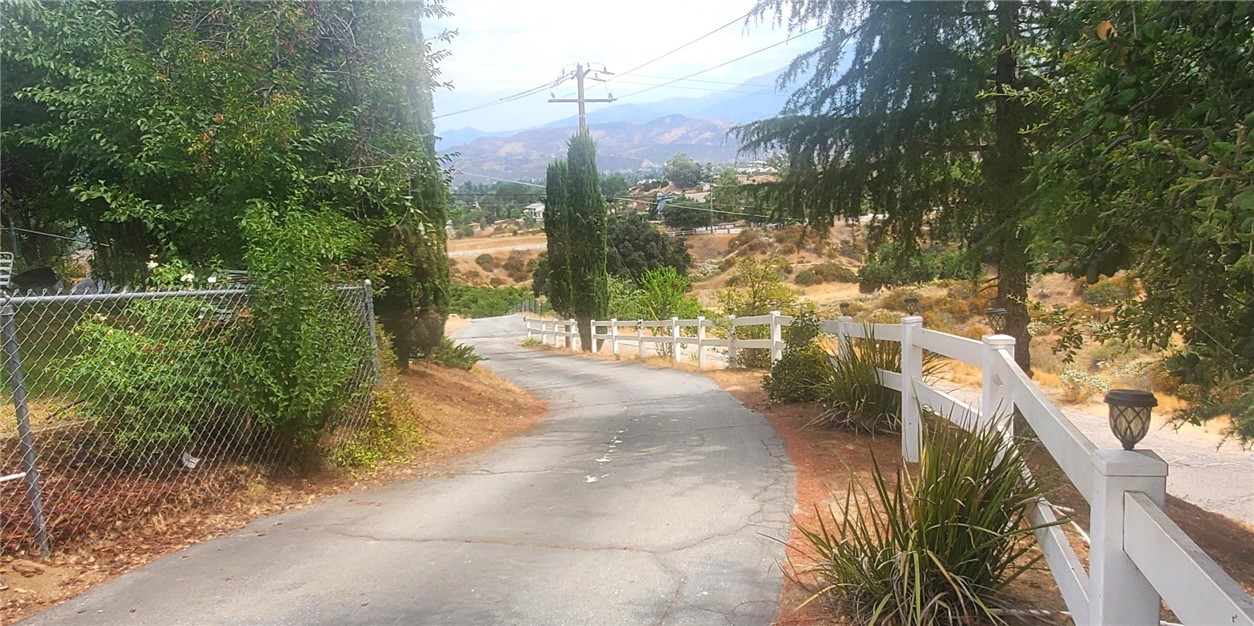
<point>939,548</point>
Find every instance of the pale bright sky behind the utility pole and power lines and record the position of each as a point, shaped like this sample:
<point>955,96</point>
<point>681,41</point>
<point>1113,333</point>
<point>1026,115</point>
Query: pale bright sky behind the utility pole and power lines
<point>506,47</point>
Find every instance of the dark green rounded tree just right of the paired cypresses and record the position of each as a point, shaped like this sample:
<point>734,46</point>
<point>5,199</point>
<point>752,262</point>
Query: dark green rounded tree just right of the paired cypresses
<point>636,247</point>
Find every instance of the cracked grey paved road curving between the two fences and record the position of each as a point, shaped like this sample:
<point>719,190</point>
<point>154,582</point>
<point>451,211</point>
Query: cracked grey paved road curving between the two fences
<point>646,496</point>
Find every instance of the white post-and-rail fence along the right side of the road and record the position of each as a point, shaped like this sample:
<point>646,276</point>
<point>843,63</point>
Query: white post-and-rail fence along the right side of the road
<point>1138,558</point>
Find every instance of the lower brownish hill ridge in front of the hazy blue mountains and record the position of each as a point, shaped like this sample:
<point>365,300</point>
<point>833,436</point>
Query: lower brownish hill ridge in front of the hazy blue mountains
<point>620,146</point>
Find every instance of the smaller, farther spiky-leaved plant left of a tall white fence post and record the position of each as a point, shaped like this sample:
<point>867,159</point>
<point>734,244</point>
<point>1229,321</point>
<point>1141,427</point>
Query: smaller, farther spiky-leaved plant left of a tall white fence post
<point>851,391</point>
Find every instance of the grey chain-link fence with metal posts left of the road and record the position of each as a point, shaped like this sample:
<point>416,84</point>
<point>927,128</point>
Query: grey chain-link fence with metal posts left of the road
<point>120,406</point>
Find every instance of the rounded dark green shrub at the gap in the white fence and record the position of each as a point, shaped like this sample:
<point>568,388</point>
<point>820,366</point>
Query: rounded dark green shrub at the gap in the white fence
<point>798,376</point>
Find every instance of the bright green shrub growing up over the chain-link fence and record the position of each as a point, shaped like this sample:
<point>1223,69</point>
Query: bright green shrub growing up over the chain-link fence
<point>302,376</point>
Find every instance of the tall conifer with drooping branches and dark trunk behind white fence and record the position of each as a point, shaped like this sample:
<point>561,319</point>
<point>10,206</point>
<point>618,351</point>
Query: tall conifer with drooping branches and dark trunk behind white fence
<point>910,115</point>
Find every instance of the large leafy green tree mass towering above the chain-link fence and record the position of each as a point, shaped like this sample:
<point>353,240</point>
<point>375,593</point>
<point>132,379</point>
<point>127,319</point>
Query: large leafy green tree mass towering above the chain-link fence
<point>161,124</point>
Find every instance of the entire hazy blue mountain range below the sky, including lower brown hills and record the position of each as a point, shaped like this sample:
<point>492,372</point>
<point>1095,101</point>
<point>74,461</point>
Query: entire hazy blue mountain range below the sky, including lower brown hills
<point>629,136</point>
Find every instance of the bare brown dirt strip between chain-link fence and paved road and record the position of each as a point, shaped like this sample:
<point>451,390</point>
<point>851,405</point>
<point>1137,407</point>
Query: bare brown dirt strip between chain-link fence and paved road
<point>463,412</point>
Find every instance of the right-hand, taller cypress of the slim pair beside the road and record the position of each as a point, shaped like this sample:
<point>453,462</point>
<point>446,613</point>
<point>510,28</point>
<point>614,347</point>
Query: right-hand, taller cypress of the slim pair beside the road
<point>590,287</point>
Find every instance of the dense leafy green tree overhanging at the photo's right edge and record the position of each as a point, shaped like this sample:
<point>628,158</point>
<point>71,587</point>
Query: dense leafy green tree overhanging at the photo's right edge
<point>1152,170</point>
